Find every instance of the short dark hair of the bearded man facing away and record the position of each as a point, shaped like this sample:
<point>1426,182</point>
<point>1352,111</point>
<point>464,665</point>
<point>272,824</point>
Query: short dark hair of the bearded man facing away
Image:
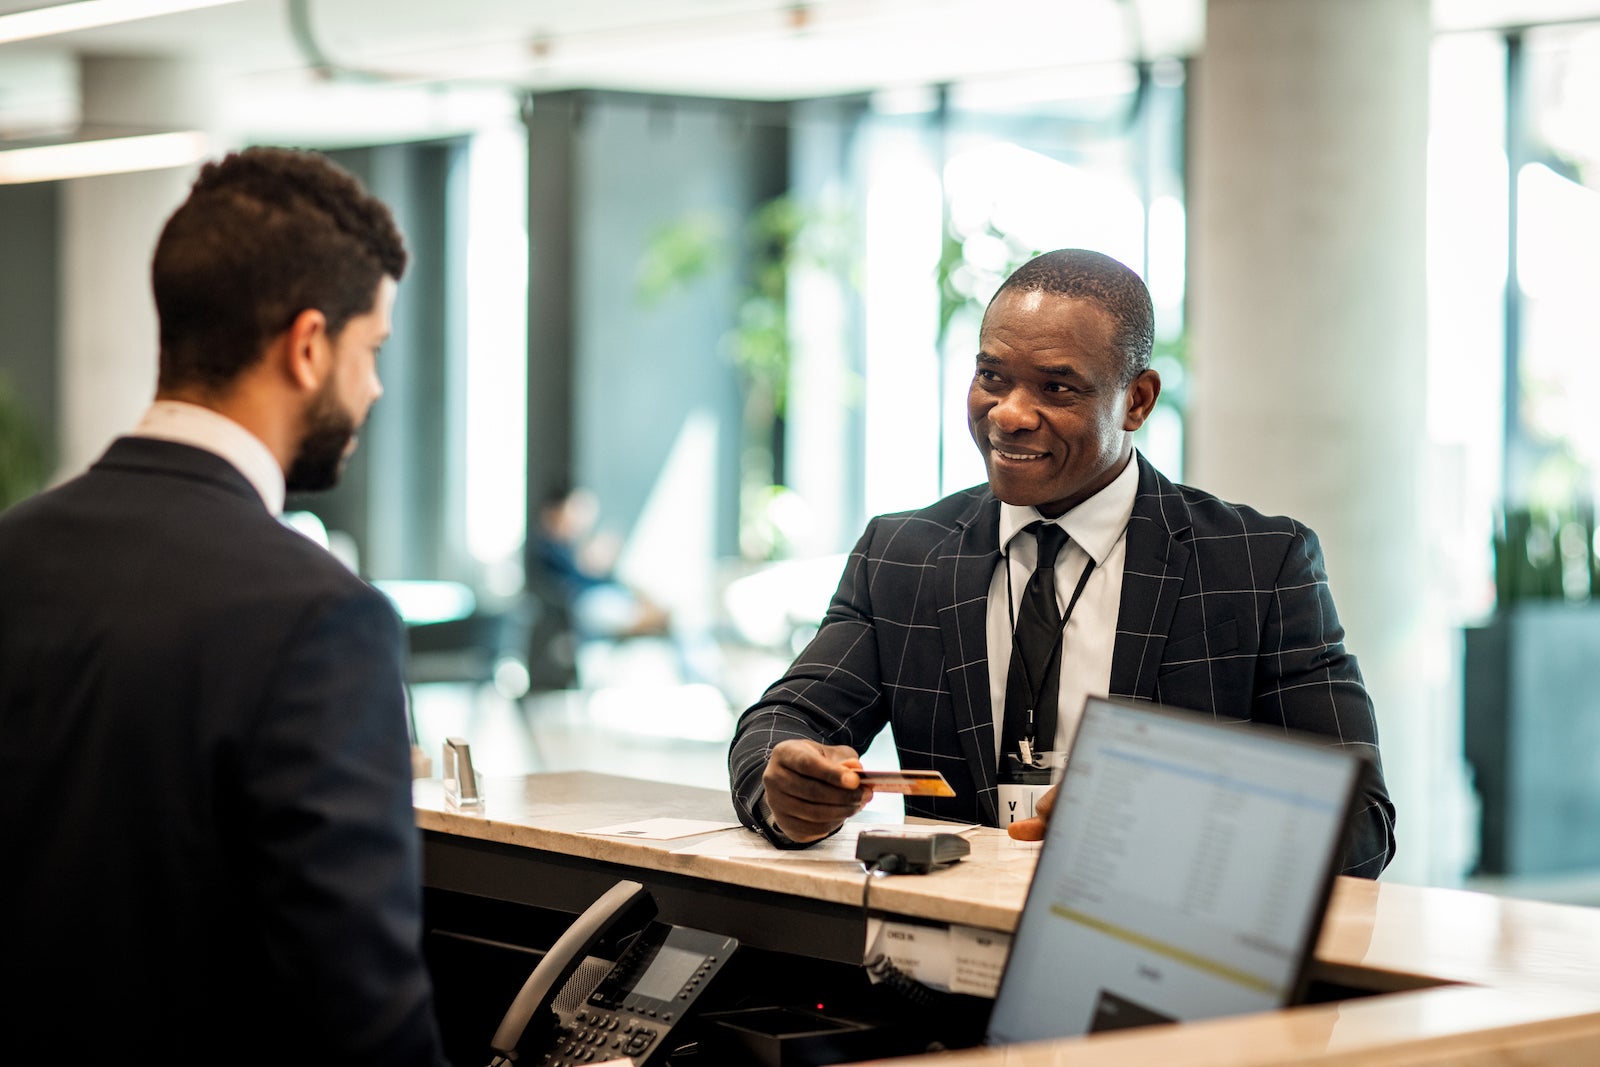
<point>265,236</point>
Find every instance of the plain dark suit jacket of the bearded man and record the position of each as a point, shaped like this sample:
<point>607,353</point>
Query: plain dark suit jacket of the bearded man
<point>206,791</point>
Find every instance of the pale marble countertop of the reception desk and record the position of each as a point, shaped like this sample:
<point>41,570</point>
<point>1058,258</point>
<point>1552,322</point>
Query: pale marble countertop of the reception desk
<point>1473,978</point>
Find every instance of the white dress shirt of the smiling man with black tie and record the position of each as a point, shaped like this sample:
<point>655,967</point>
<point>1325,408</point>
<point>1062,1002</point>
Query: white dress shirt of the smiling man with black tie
<point>1097,529</point>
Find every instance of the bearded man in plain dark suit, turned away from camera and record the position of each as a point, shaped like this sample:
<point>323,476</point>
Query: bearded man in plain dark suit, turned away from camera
<point>206,791</point>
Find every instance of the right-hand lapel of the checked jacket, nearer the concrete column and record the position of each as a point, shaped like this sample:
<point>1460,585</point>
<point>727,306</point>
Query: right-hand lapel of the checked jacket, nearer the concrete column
<point>1153,578</point>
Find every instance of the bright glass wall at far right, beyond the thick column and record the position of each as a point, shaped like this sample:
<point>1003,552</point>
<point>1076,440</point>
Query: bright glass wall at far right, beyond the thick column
<point>1514,268</point>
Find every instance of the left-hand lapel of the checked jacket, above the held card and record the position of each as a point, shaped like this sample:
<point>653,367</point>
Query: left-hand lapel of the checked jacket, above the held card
<point>967,564</point>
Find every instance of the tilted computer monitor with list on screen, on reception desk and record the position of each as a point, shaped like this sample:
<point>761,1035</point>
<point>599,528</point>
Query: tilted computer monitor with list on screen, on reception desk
<point>1185,874</point>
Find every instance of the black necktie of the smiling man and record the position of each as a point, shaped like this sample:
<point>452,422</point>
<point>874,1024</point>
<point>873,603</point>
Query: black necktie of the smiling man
<point>1033,682</point>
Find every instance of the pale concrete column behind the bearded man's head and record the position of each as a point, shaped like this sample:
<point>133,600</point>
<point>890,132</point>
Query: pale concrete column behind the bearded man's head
<point>108,234</point>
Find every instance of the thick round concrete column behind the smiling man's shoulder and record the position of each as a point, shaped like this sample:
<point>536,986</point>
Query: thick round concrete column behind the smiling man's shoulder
<point>1308,207</point>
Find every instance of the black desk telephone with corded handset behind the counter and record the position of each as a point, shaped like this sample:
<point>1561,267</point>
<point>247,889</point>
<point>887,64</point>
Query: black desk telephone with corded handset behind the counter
<point>586,1010</point>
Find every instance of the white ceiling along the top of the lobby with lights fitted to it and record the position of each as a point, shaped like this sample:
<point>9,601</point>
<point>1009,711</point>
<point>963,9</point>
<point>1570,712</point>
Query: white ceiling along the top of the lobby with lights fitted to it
<point>425,66</point>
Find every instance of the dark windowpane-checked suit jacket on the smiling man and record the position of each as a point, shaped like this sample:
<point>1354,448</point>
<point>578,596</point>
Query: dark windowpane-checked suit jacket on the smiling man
<point>1225,612</point>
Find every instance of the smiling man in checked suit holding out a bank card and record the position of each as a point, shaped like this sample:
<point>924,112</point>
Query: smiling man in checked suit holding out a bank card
<point>945,631</point>
